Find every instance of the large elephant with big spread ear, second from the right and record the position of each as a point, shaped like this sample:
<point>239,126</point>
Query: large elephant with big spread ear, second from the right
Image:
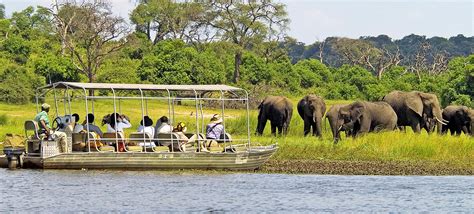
<point>416,109</point>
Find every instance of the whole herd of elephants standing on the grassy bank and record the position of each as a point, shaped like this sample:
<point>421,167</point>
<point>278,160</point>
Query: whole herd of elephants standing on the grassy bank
<point>397,109</point>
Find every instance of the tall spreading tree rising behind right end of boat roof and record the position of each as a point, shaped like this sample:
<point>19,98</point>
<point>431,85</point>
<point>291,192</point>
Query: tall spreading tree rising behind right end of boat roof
<point>245,23</point>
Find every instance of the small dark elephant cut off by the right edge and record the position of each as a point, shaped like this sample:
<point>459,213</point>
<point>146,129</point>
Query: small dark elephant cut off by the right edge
<point>460,118</point>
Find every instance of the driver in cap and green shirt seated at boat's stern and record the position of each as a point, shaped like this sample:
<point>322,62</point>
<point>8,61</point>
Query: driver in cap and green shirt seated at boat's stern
<point>45,128</point>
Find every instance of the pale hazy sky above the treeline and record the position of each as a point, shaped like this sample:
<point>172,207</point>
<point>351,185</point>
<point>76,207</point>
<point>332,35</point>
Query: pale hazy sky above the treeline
<point>314,20</point>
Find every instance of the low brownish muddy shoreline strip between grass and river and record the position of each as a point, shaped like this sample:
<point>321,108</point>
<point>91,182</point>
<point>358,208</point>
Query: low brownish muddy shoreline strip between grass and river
<point>342,167</point>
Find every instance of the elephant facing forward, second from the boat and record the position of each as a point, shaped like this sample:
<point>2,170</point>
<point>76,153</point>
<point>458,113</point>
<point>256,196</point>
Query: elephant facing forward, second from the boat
<point>311,109</point>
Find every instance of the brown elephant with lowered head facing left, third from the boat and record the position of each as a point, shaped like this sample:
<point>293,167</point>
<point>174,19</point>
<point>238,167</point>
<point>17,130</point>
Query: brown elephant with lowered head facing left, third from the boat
<point>362,117</point>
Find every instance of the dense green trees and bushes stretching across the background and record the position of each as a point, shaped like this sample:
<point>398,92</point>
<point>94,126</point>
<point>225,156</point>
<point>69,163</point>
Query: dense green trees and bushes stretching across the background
<point>34,53</point>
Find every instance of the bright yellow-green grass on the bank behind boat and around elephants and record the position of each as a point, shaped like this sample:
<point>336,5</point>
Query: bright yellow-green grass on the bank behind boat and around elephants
<point>397,146</point>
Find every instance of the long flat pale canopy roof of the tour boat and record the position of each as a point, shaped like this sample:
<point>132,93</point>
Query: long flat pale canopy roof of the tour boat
<point>119,86</point>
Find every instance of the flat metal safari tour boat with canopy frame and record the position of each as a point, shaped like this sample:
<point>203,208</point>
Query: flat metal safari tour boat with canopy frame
<point>147,152</point>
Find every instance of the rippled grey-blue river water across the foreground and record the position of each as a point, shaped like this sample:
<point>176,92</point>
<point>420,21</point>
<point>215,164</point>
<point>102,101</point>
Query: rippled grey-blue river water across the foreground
<point>191,191</point>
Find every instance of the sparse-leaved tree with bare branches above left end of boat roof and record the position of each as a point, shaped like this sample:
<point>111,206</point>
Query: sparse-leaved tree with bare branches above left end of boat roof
<point>90,33</point>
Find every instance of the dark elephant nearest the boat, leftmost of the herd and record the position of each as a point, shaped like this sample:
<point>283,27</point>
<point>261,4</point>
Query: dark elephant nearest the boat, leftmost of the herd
<point>278,110</point>
